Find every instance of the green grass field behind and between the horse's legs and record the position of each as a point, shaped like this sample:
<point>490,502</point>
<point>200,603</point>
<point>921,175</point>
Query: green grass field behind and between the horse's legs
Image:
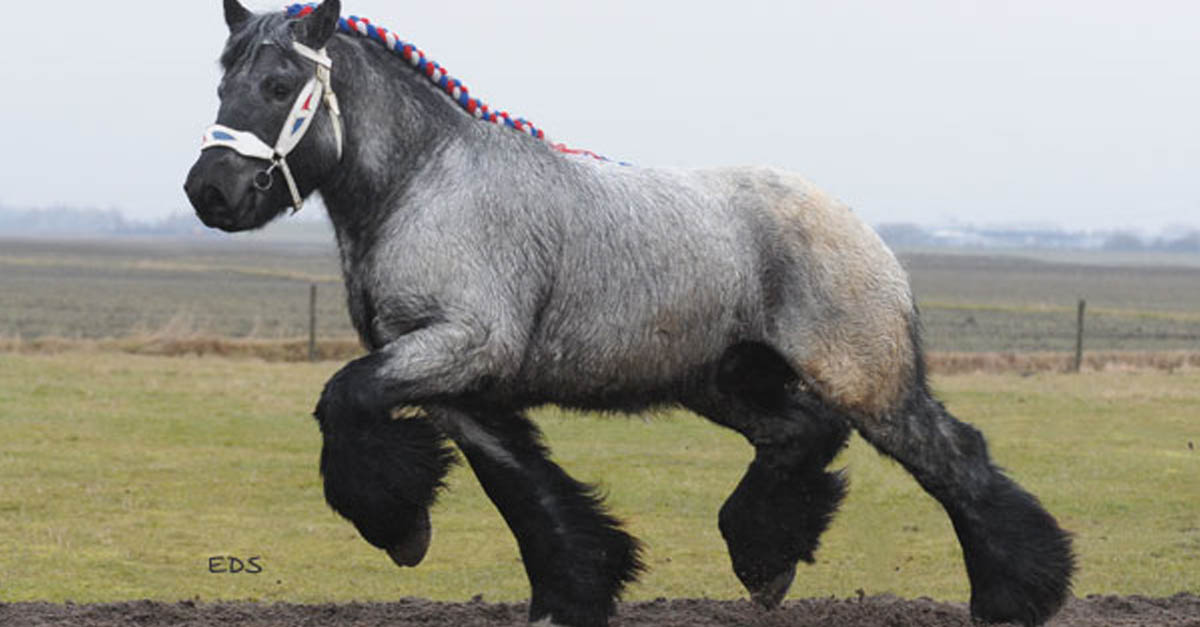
<point>121,476</point>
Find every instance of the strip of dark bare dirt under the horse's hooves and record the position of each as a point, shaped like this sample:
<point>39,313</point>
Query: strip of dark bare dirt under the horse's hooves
<point>1180,611</point>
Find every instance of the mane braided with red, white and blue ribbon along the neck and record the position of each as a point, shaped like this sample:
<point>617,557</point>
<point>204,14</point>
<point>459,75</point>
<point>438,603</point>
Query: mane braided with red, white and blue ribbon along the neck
<point>439,77</point>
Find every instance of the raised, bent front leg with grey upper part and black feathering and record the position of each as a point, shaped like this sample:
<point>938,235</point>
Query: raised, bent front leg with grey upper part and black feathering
<point>382,469</point>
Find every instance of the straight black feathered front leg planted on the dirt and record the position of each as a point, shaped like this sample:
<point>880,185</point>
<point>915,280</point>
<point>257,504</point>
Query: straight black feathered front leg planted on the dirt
<point>577,556</point>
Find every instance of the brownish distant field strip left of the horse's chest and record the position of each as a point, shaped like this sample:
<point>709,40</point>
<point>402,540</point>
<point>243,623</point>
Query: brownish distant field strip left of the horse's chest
<point>115,289</point>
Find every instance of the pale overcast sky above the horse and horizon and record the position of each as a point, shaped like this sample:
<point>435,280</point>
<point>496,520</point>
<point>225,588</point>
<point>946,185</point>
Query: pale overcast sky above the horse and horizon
<point>1079,114</point>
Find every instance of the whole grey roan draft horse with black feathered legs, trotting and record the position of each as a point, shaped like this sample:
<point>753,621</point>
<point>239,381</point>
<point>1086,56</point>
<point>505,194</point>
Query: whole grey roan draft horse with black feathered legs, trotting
<point>489,273</point>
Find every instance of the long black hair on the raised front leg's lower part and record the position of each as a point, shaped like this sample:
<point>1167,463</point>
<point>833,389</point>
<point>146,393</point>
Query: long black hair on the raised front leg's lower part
<point>381,473</point>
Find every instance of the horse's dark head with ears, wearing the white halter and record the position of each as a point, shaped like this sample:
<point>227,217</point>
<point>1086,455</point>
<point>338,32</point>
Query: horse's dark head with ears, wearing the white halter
<point>279,132</point>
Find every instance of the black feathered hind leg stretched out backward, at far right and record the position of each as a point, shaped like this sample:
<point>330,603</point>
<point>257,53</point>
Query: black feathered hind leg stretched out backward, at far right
<point>1018,559</point>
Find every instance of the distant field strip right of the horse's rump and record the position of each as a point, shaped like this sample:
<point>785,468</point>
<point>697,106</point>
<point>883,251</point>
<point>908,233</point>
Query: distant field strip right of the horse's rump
<point>1011,303</point>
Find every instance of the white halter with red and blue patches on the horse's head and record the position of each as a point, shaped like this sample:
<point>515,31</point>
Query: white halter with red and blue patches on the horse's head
<point>319,89</point>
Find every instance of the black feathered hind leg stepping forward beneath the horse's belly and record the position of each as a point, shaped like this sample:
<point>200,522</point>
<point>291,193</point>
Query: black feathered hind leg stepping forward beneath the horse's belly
<point>787,500</point>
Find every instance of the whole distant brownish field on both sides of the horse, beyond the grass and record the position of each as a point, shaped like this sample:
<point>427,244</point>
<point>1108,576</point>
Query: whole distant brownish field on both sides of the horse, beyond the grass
<point>248,289</point>
